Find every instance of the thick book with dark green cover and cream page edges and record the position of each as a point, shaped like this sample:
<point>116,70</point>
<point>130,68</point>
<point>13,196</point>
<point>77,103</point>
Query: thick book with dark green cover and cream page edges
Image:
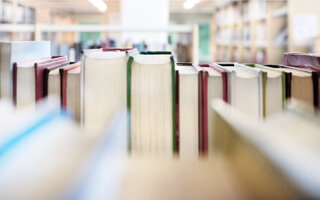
<point>151,103</point>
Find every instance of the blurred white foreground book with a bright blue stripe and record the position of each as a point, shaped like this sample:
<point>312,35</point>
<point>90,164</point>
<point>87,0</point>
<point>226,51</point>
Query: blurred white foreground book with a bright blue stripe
<point>48,146</point>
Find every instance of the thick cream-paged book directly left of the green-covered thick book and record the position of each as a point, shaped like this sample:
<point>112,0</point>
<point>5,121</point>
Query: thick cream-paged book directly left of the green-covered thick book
<point>103,87</point>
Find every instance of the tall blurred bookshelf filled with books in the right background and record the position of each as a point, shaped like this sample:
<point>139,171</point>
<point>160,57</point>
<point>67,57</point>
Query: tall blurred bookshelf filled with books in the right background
<point>257,31</point>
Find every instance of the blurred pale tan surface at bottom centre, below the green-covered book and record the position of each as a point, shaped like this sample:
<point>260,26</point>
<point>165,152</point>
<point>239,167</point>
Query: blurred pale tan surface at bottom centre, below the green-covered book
<point>173,179</point>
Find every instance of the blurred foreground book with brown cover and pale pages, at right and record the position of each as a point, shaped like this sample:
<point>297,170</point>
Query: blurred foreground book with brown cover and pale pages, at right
<point>281,152</point>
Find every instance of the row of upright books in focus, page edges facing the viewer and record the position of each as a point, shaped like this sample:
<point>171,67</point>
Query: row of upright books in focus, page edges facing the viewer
<point>167,102</point>
